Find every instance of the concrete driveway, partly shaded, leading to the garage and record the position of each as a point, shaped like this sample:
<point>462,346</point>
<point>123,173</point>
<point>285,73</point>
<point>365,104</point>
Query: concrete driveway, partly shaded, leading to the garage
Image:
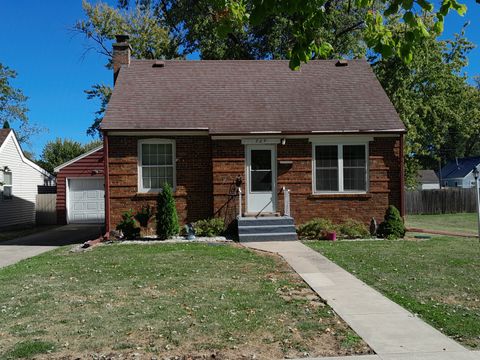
<point>14,250</point>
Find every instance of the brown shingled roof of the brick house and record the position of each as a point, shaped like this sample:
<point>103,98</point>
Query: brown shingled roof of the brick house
<point>246,96</point>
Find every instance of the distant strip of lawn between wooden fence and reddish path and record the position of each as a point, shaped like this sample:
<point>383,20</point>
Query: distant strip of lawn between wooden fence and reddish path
<point>463,222</point>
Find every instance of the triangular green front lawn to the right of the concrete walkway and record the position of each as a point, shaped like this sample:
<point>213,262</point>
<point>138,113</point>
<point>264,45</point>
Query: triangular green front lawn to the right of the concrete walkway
<point>437,278</point>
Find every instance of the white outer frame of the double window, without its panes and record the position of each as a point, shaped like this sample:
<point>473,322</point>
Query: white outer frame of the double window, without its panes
<point>340,146</point>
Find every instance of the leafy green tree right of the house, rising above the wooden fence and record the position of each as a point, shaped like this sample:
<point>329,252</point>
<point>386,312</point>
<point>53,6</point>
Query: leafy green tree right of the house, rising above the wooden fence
<point>438,106</point>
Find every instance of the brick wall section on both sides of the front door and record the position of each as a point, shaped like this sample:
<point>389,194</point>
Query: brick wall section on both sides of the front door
<point>384,177</point>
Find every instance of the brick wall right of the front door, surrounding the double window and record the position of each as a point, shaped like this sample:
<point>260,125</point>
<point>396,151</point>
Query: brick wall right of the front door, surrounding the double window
<point>384,184</point>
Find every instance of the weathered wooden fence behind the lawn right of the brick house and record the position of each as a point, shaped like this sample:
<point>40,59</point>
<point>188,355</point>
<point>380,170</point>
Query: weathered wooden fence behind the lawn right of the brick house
<point>441,201</point>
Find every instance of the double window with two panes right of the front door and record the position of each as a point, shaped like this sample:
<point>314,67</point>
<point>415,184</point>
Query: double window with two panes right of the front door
<point>340,168</point>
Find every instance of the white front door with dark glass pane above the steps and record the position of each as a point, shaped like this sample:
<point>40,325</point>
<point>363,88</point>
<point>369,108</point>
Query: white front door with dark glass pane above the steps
<point>261,178</point>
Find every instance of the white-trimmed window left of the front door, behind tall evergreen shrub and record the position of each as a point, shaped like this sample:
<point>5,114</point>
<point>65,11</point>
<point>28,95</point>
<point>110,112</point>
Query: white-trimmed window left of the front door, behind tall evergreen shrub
<point>156,164</point>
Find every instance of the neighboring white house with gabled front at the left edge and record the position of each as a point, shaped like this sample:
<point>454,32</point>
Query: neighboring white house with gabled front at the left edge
<point>19,181</point>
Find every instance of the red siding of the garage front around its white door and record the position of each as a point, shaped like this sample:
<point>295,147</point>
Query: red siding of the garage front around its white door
<point>89,166</point>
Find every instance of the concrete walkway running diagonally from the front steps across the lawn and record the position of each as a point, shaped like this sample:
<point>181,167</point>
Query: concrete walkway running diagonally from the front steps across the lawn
<point>390,330</point>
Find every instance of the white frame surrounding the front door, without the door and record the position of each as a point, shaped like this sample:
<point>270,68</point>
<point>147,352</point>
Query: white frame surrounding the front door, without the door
<point>273,149</point>
